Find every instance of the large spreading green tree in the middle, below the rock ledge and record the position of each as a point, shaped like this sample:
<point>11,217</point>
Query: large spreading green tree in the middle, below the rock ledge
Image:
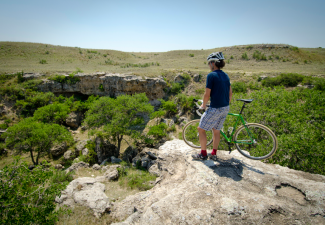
<point>118,117</point>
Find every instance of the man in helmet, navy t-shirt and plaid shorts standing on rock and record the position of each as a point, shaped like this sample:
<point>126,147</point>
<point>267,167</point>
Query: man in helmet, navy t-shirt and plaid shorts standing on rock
<point>218,88</point>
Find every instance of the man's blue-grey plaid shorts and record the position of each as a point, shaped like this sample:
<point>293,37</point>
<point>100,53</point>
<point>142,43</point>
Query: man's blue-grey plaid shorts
<point>214,118</point>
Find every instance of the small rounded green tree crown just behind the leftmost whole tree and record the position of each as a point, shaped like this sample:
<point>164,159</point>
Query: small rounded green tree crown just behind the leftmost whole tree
<point>54,113</point>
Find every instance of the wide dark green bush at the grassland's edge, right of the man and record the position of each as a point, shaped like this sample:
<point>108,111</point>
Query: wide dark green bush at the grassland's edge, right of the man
<point>285,79</point>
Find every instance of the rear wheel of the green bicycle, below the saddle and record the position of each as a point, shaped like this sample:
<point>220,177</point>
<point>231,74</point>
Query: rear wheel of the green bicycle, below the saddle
<point>264,142</point>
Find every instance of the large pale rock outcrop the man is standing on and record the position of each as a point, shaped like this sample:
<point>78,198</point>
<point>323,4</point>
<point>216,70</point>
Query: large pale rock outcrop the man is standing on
<point>231,190</point>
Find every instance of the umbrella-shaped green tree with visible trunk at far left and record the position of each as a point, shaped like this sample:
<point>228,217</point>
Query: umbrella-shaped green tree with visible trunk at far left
<point>35,137</point>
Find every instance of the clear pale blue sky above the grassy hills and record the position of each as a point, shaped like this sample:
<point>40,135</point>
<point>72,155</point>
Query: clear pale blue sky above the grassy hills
<point>160,26</point>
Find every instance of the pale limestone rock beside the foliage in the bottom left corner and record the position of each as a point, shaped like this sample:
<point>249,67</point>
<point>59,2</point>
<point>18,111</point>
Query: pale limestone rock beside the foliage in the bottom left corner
<point>88,192</point>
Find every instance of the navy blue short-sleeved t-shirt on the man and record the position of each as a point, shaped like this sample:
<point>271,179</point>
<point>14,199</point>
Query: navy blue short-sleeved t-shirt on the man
<point>219,83</point>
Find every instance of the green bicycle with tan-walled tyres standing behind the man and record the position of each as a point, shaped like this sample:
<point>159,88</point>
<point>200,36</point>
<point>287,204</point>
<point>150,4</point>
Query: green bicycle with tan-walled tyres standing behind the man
<point>252,140</point>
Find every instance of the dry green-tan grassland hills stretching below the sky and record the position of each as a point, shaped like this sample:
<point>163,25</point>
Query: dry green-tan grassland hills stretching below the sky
<point>261,59</point>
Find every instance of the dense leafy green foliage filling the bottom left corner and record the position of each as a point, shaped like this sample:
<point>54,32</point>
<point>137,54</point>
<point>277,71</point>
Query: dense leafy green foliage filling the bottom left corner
<point>27,197</point>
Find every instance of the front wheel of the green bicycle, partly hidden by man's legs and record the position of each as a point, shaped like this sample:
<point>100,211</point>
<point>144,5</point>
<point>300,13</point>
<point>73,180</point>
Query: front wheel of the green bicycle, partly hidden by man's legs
<point>191,134</point>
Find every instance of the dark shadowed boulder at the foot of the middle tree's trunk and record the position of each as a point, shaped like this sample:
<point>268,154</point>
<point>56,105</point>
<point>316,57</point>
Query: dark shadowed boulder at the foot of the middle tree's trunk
<point>105,149</point>
